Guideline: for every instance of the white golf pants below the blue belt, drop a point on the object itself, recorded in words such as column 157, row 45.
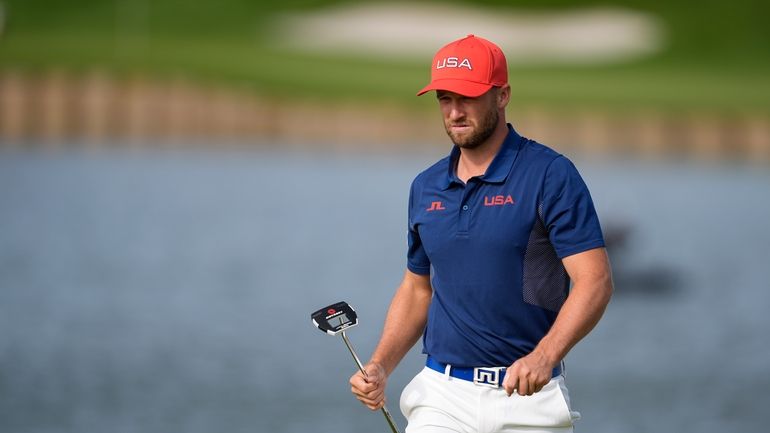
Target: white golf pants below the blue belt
column 438, row 403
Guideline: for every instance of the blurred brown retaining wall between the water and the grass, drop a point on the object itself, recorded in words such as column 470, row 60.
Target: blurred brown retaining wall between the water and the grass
column 56, row 109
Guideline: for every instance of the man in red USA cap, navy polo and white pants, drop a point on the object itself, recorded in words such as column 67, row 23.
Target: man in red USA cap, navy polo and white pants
column 496, row 232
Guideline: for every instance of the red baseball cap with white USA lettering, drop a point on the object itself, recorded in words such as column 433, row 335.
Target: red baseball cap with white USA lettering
column 469, row 66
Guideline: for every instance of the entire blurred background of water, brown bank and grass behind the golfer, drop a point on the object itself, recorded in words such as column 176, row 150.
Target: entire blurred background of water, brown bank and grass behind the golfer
column 183, row 183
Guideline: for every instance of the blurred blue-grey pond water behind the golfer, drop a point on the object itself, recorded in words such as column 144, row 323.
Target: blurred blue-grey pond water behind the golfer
column 162, row 291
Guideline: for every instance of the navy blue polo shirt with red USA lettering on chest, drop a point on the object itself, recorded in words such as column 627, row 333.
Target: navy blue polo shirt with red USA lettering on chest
column 494, row 247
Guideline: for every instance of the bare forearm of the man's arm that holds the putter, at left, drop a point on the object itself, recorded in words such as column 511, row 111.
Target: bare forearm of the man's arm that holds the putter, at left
column 404, row 322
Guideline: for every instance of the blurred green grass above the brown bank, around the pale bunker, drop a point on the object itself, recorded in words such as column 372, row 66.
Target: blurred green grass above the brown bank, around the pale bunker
column 717, row 58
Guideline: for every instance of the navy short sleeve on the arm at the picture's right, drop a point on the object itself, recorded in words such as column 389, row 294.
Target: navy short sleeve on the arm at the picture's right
column 567, row 210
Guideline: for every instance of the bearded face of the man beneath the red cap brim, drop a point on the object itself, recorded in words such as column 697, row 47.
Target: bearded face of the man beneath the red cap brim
column 469, row 122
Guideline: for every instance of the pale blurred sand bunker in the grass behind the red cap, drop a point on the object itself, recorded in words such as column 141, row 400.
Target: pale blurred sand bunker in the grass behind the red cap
column 417, row 30
